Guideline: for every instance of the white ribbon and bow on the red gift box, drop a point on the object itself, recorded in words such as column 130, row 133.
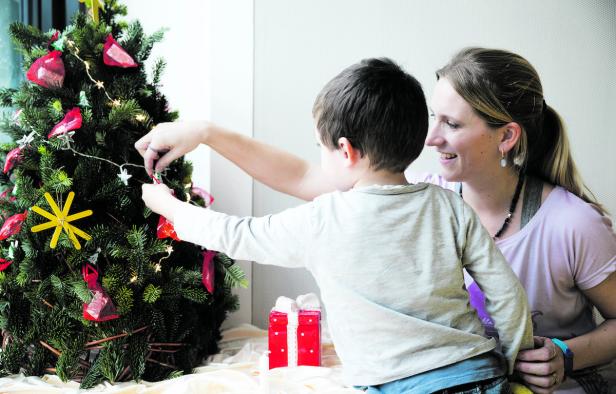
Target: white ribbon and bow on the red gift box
column 291, row 307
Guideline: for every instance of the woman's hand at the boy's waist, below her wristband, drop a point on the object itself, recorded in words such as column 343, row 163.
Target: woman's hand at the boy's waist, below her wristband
column 542, row 369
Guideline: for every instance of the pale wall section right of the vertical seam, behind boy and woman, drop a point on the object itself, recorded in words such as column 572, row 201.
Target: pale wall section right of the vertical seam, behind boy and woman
column 300, row 45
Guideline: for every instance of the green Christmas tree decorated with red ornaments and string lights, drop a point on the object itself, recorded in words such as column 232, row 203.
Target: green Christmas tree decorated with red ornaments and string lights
column 93, row 286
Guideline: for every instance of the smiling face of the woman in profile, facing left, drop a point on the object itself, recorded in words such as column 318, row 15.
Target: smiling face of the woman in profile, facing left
column 468, row 147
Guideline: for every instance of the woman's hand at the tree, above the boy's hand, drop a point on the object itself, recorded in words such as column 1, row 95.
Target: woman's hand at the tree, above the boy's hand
column 168, row 141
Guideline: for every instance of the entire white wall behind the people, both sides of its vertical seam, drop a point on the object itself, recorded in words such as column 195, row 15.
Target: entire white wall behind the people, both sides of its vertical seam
column 297, row 46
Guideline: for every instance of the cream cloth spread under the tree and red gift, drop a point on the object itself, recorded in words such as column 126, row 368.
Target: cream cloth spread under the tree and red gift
column 234, row 370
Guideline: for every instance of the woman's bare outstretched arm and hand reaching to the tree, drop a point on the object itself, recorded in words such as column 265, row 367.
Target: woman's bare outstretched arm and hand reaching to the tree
column 271, row 166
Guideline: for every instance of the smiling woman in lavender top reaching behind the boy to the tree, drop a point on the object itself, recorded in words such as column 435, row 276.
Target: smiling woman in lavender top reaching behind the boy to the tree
column 505, row 151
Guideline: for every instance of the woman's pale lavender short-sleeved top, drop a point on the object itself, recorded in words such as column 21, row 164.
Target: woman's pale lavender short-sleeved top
column 566, row 247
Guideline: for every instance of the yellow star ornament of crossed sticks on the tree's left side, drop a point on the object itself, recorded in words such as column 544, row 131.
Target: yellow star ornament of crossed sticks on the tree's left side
column 60, row 219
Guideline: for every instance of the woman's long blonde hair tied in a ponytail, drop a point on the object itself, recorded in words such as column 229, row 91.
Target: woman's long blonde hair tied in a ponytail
column 503, row 87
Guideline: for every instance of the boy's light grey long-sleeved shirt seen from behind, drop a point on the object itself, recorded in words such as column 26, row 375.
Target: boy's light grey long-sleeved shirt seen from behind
column 389, row 263
